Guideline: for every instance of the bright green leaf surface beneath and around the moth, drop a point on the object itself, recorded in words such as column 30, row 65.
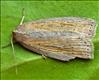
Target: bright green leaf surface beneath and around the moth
column 31, row 66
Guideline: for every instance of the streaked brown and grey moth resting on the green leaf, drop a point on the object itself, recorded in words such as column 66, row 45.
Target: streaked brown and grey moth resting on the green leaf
column 62, row 38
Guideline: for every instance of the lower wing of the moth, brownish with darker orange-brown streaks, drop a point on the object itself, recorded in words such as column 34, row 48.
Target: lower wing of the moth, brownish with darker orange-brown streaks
column 60, row 47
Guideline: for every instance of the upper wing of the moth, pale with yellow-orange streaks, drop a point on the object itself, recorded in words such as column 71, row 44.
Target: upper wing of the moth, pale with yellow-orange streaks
column 86, row 27
